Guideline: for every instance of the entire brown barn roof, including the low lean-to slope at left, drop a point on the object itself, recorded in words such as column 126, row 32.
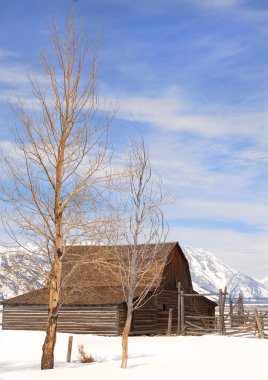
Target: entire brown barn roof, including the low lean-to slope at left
column 90, row 274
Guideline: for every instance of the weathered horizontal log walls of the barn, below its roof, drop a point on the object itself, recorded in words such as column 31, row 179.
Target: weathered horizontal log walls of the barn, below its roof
column 152, row 318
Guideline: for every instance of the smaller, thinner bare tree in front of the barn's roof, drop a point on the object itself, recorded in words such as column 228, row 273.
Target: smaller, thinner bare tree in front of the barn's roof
column 143, row 231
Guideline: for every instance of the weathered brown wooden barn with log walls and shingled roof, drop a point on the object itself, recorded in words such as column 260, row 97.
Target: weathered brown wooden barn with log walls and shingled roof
column 92, row 300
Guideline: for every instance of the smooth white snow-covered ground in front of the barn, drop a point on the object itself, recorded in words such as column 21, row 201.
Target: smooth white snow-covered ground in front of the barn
column 191, row 358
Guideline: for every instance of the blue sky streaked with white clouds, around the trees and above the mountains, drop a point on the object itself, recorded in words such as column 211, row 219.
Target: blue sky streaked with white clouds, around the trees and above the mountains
column 191, row 76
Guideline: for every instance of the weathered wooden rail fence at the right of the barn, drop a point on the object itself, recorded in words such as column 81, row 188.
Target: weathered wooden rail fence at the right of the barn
column 247, row 317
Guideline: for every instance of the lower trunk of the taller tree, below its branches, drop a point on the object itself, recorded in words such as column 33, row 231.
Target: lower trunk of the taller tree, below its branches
column 47, row 361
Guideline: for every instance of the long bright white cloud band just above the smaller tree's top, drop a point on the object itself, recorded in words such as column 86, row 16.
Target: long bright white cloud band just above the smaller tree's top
column 171, row 113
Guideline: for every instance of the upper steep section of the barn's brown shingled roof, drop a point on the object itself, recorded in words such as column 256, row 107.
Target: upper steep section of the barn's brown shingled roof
column 87, row 266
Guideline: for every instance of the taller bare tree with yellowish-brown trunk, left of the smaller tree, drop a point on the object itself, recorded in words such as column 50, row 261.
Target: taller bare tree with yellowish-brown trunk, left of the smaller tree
column 56, row 183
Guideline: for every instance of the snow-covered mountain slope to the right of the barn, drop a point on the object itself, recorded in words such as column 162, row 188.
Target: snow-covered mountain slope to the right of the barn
column 209, row 274
